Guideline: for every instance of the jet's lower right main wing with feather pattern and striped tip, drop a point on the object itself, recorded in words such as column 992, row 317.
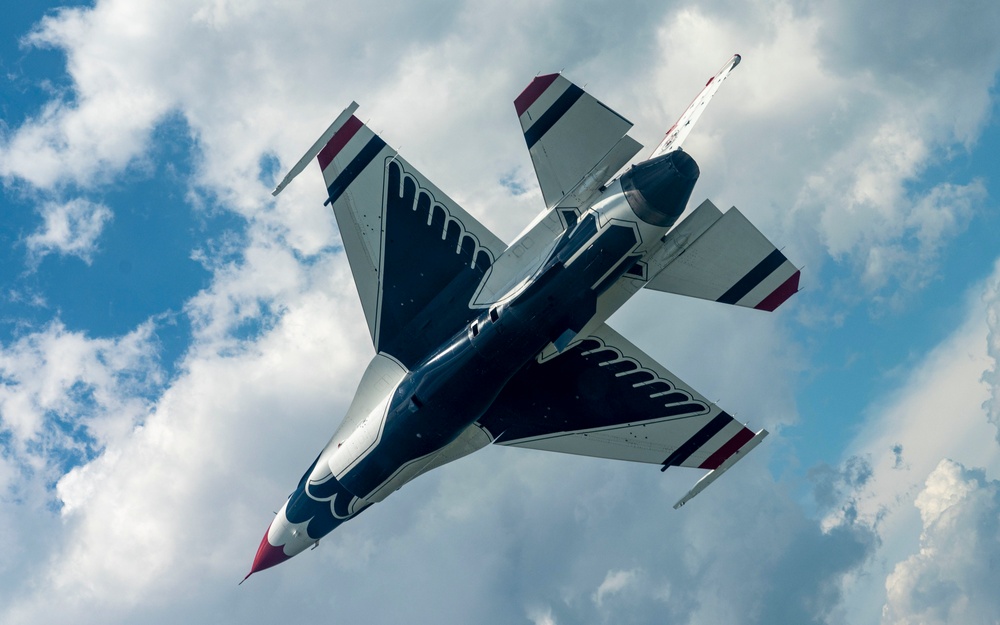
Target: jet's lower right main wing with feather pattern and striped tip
column 604, row 397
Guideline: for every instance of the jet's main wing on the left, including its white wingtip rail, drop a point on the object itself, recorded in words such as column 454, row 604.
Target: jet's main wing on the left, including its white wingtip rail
column 417, row 256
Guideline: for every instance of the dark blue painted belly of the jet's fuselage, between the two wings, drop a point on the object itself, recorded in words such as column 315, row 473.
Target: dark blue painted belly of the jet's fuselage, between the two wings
column 455, row 386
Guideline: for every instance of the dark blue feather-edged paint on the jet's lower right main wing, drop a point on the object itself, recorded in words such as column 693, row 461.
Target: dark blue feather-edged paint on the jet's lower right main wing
column 575, row 392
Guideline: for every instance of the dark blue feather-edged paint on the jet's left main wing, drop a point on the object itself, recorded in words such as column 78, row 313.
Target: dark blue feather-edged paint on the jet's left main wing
column 428, row 275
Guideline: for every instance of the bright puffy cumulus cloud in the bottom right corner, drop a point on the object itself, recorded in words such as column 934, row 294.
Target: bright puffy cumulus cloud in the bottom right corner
column 953, row 577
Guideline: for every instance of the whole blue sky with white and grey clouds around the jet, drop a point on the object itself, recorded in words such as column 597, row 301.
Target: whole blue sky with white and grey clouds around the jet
column 176, row 345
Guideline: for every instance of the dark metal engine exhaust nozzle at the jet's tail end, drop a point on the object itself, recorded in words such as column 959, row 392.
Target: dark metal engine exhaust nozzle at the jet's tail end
column 659, row 189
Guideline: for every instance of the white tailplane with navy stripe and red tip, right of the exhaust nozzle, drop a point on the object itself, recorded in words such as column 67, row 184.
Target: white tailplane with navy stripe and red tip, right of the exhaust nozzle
column 723, row 258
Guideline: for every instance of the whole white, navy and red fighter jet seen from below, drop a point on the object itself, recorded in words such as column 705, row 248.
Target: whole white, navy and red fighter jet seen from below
column 480, row 342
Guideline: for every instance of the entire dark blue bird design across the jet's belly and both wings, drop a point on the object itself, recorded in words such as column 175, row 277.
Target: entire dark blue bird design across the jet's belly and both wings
column 456, row 375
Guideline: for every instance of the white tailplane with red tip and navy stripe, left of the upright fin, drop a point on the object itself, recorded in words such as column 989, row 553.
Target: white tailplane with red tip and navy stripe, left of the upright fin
column 576, row 142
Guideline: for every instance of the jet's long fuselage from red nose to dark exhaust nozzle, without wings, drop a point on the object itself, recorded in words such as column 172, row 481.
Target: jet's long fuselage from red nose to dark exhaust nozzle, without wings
column 439, row 399
